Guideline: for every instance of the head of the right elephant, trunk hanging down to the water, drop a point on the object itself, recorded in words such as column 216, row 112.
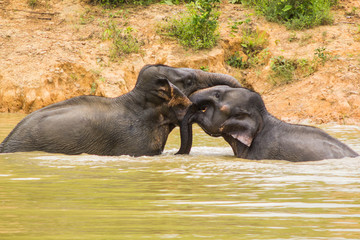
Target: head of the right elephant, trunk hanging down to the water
column 233, row 113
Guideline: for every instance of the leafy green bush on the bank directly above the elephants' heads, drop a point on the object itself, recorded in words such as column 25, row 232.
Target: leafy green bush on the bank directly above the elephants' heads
column 197, row 27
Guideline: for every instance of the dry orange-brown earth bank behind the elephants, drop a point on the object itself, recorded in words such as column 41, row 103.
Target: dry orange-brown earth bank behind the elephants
column 55, row 51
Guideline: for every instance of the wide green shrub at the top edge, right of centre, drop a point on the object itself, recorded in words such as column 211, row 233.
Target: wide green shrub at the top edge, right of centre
column 294, row 14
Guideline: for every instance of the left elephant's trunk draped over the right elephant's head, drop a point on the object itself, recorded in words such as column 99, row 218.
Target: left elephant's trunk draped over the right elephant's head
column 214, row 79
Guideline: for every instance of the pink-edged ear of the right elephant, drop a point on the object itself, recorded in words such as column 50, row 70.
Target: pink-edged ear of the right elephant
column 242, row 127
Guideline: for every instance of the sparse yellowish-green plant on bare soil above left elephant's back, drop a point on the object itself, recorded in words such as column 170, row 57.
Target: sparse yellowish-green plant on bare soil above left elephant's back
column 123, row 41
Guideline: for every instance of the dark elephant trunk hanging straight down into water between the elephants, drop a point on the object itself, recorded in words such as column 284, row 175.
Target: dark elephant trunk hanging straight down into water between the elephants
column 186, row 131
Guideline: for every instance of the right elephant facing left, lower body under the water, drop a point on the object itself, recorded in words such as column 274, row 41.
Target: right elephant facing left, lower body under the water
column 240, row 117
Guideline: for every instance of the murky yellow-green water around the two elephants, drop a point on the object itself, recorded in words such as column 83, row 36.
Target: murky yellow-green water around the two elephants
column 207, row 195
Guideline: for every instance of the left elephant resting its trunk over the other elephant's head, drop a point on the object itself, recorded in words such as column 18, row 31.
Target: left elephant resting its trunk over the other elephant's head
column 136, row 123
